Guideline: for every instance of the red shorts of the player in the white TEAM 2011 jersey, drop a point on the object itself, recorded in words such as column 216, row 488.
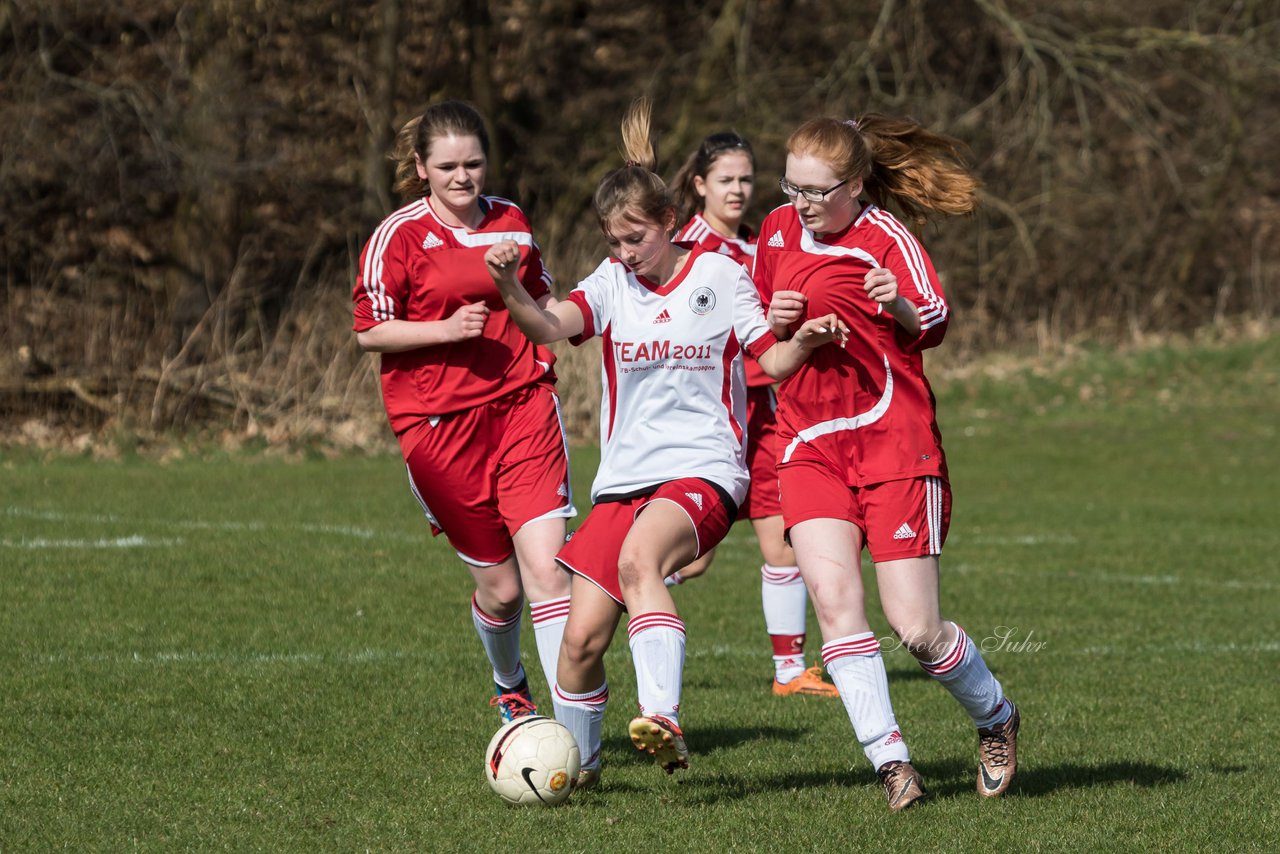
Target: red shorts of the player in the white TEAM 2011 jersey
column 593, row 550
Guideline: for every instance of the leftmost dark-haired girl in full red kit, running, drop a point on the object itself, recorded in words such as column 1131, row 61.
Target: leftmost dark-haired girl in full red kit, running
column 470, row 400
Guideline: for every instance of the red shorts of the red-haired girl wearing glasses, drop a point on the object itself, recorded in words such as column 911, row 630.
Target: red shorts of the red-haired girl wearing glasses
column 899, row 519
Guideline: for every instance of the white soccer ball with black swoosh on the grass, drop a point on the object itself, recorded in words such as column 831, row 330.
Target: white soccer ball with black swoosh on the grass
column 533, row 760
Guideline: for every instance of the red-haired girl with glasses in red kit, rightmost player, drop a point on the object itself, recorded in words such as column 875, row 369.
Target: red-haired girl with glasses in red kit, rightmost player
column 861, row 455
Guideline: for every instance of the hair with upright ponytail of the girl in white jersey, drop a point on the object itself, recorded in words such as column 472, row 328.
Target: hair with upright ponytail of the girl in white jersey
column 636, row 191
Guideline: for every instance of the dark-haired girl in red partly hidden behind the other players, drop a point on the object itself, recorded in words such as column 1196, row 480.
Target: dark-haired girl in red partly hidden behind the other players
column 712, row 193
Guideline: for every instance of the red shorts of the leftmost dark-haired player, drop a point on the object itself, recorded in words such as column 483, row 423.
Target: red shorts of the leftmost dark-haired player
column 483, row 474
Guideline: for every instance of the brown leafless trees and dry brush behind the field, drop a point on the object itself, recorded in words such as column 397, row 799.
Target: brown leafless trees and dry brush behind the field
column 186, row 188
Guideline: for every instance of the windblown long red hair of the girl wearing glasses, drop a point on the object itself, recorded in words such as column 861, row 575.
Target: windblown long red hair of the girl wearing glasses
column 899, row 161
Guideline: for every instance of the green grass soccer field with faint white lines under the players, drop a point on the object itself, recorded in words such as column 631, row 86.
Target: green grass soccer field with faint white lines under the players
column 245, row 654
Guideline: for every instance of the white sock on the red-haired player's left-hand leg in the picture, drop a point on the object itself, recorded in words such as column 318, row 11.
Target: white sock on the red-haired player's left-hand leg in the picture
column 858, row 670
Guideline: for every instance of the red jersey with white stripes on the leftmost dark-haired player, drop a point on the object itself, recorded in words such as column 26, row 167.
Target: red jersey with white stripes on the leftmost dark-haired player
column 417, row 268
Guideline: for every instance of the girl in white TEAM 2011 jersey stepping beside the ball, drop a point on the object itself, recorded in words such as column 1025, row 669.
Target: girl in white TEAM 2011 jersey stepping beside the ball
column 674, row 325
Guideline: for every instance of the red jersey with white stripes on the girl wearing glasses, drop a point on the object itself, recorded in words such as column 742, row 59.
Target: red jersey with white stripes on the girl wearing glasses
column 866, row 410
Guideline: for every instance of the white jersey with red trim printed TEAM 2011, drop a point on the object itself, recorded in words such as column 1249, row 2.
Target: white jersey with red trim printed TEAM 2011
column 675, row 391
